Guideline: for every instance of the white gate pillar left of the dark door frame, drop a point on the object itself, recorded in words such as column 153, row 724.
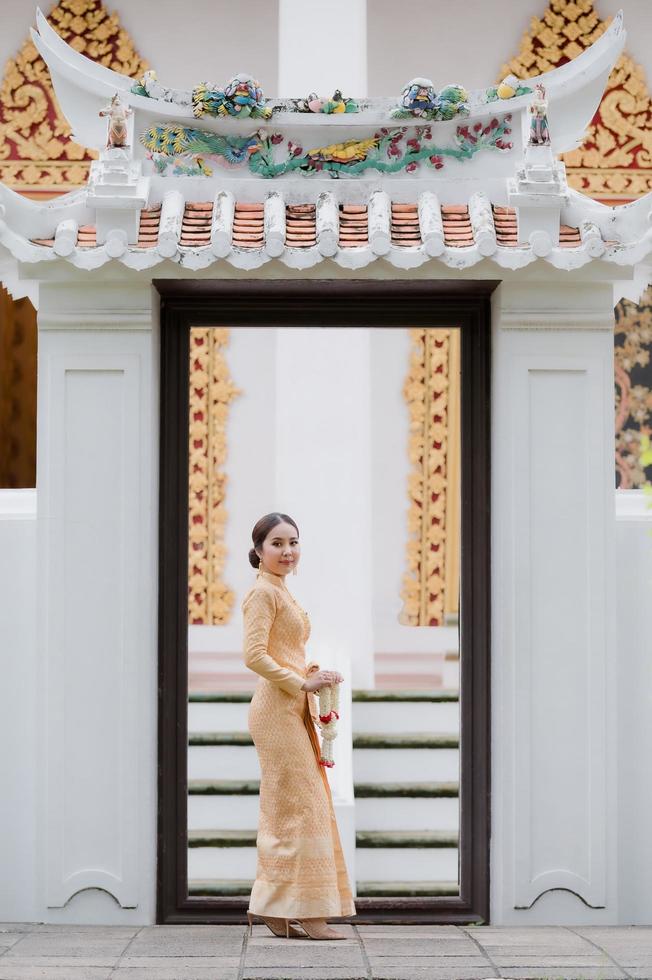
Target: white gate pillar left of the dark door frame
column 97, row 568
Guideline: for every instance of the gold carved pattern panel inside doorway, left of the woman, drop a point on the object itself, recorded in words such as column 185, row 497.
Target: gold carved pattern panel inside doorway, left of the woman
column 212, row 390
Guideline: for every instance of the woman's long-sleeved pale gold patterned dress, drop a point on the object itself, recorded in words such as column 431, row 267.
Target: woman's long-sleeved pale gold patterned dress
column 300, row 869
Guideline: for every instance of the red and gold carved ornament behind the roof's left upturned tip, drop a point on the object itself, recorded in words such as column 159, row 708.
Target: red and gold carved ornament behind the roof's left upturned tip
column 36, row 152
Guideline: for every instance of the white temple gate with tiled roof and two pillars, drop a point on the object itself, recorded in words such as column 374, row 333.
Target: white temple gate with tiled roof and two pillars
column 567, row 750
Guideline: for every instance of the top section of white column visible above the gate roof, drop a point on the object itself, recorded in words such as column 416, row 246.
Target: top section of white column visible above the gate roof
column 322, row 45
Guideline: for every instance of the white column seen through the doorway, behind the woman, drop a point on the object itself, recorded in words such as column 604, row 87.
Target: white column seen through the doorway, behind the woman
column 323, row 481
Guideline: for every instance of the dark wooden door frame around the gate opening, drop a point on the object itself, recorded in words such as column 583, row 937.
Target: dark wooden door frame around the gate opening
column 321, row 303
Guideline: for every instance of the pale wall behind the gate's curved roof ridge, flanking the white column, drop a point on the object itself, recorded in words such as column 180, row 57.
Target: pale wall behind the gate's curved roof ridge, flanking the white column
column 209, row 40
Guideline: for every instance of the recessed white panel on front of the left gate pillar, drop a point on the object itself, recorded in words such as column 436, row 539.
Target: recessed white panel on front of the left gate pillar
column 90, row 587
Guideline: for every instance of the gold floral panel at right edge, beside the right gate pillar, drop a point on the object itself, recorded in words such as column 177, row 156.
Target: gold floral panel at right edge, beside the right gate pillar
column 633, row 389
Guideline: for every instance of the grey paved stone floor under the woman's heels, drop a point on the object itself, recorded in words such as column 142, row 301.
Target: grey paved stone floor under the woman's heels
column 205, row 952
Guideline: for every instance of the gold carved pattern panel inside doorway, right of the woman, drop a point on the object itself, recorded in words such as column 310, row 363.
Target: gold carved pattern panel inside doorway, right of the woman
column 426, row 391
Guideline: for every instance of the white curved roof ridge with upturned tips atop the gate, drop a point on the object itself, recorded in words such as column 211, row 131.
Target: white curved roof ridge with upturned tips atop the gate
column 83, row 87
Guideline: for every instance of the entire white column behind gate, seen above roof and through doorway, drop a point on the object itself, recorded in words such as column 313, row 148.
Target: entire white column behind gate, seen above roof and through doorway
column 323, row 416
